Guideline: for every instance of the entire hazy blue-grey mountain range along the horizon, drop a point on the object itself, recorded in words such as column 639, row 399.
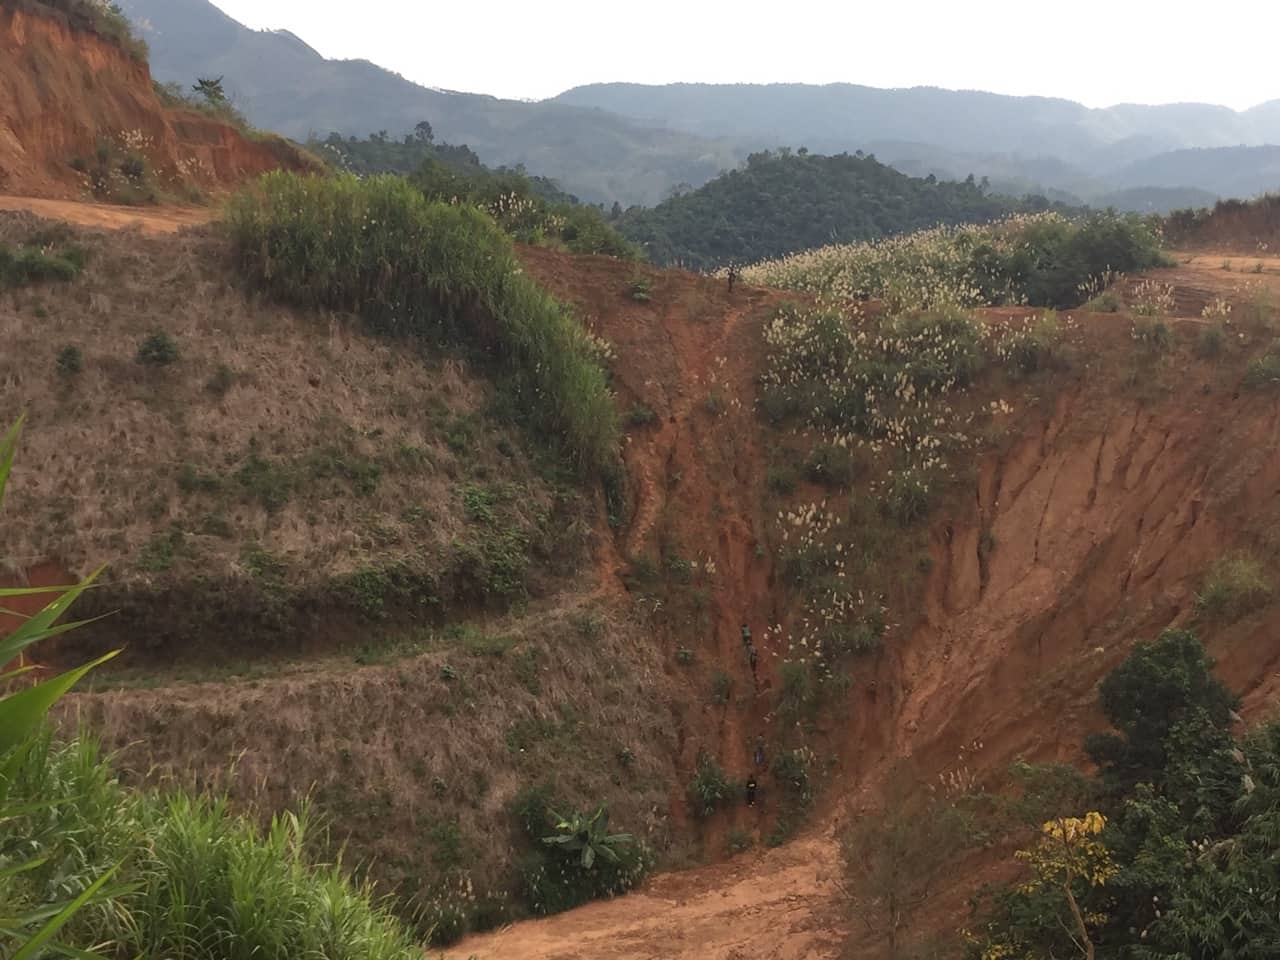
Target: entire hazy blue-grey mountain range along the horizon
column 633, row 144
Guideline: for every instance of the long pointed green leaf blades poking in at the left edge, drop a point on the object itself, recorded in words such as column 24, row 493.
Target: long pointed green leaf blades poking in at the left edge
column 22, row 712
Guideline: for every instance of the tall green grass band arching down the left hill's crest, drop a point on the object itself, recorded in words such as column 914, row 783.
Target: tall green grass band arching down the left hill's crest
column 410, row 267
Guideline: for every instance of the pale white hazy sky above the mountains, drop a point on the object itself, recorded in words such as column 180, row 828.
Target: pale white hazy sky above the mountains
column 1099, row 53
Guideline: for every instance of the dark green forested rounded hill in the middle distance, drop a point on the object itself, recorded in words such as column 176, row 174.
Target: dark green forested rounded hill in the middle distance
column 781, row 203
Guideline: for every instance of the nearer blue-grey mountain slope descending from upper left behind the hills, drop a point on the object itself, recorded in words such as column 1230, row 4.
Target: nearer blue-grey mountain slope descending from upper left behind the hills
column 284, row 85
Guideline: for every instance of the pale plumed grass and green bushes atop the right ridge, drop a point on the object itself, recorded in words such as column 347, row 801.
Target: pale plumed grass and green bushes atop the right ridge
column 1043, row 260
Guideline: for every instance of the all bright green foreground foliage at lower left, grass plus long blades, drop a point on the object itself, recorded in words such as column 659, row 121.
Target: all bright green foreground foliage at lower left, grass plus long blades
column 89, row 866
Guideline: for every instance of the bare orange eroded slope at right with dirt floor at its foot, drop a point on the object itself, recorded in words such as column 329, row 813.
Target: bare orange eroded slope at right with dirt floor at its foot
column 1105, row 510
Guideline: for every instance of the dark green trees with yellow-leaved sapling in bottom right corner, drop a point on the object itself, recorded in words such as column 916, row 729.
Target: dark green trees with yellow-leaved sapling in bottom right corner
column 1171, row 849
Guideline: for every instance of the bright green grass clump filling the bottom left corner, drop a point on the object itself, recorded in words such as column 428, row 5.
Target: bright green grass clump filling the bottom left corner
column 195, row 880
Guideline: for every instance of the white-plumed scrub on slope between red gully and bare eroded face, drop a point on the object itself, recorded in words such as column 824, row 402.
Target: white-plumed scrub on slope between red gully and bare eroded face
column 876, row 418
